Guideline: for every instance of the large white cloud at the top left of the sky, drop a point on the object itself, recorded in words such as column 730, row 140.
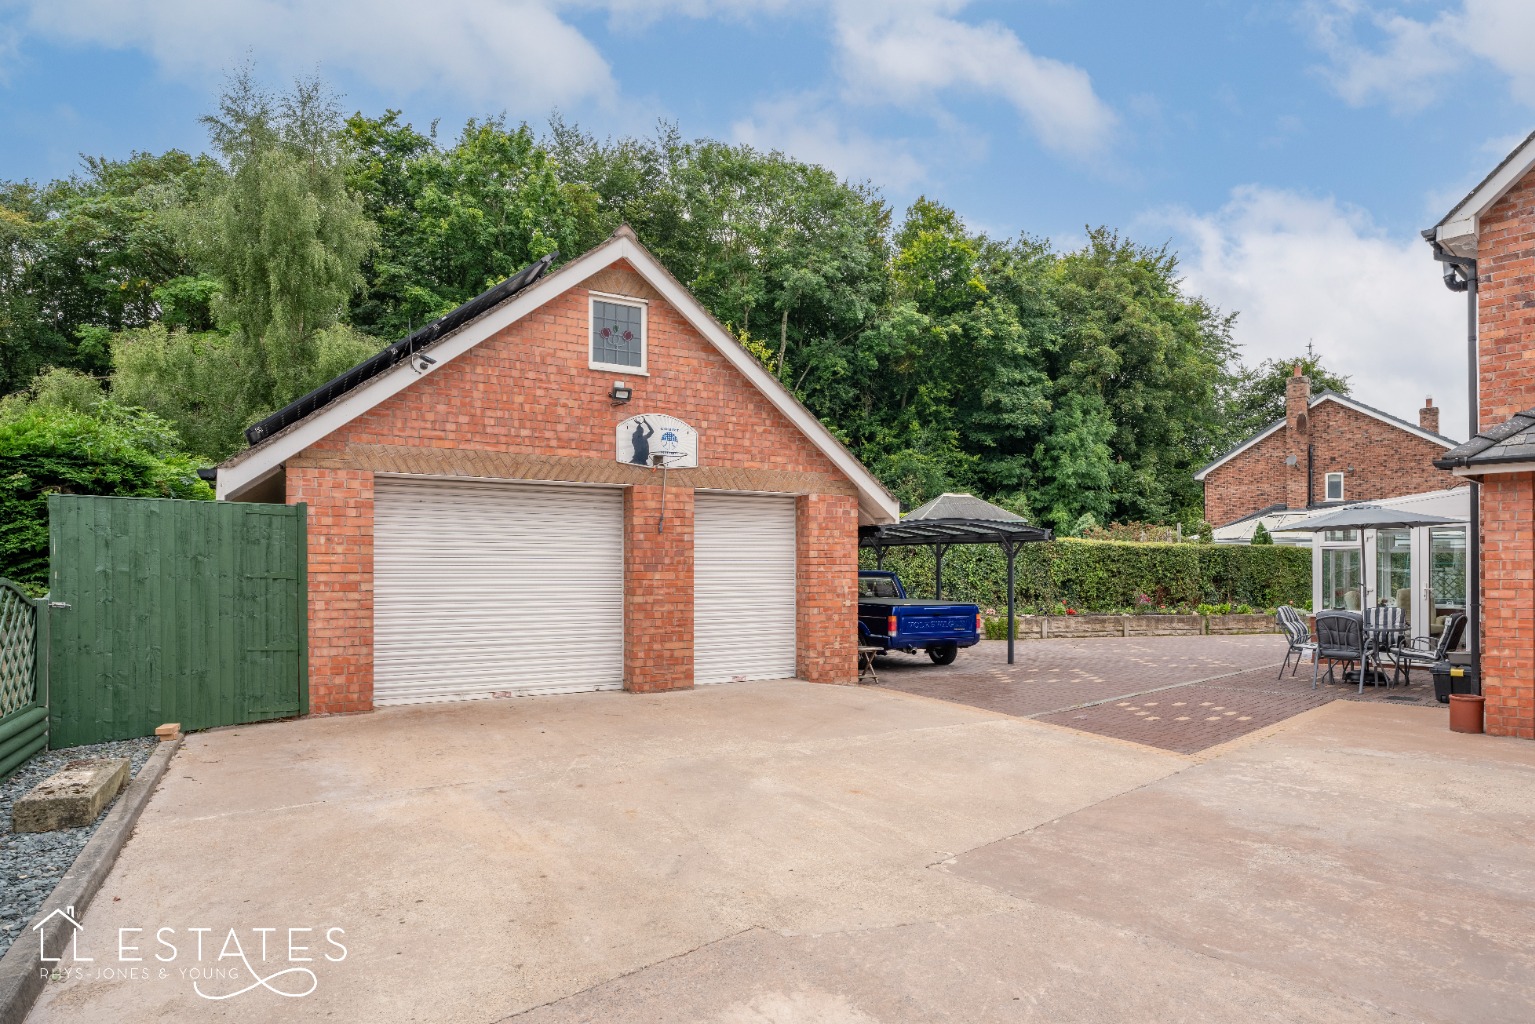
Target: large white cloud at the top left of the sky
column 506, row 53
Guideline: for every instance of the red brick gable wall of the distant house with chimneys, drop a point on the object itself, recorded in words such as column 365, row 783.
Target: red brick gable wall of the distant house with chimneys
column 1376, row 460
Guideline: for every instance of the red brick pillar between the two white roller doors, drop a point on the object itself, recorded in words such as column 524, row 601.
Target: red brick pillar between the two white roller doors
column 658, row 589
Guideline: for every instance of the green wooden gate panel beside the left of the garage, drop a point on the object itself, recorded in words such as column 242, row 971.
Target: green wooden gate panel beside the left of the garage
column 174, row 612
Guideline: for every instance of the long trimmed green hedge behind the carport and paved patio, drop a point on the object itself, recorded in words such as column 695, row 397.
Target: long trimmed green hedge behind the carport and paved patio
column 1112, row 576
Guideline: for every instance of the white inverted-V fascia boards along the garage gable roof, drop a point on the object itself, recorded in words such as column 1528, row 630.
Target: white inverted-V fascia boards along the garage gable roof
column 248, row 469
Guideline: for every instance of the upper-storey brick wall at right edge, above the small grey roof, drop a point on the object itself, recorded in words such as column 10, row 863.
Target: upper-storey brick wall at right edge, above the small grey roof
column 1507, row 305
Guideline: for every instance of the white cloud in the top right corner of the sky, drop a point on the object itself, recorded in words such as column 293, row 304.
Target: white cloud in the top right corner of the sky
column 1410, row 58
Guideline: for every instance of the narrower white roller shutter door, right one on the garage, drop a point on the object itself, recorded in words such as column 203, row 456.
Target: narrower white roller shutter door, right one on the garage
column 744, row 589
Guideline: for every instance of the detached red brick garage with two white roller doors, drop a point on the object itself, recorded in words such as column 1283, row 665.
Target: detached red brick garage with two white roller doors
column 576, row 481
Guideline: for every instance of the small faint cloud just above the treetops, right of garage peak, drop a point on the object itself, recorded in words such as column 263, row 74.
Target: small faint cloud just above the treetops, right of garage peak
column 814, row 134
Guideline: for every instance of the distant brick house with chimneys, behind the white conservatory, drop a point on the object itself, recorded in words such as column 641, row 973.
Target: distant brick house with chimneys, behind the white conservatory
column 1329, row 449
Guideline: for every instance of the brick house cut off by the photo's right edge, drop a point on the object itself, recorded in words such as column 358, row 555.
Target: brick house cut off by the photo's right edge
column 1488, row 243
